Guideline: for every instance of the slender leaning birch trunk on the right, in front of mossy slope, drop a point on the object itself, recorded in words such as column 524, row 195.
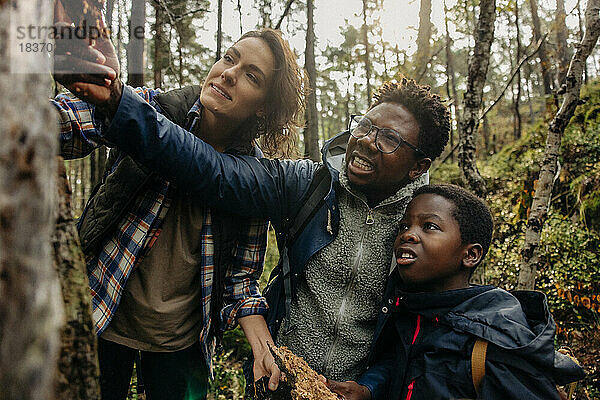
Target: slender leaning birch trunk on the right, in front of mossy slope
column 543, row 187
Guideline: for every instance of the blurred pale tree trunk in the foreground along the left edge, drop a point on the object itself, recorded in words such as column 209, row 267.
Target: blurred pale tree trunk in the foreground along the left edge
column 30, row 303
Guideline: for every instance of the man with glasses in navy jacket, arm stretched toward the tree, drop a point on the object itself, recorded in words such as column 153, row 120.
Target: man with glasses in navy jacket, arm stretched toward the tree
column 325, row 294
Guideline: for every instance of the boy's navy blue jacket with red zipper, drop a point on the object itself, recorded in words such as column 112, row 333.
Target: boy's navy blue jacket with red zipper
column 424, row 341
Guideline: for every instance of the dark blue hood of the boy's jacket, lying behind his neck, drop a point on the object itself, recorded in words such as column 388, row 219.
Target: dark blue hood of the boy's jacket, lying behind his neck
column 518, row 321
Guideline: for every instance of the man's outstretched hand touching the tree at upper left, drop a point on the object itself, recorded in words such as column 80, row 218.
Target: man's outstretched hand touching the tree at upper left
column 88, row 67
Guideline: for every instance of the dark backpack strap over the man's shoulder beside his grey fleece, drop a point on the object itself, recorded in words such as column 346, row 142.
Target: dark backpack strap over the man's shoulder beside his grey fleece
column 313, row 199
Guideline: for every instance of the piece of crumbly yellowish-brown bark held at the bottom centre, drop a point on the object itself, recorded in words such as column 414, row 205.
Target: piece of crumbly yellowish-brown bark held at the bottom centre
column 302, row 382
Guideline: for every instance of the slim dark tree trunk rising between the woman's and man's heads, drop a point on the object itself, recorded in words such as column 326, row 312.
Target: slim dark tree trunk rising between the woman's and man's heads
column 311, row 132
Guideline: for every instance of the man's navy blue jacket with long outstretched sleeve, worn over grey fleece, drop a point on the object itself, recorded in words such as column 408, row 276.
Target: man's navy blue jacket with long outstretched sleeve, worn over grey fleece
column 271, row 189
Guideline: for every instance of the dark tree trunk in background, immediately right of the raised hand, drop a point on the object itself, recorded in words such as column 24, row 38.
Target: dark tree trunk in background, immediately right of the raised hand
column 135, row 48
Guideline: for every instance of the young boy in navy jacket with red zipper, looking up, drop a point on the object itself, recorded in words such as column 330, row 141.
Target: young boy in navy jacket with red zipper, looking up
column 432, row 317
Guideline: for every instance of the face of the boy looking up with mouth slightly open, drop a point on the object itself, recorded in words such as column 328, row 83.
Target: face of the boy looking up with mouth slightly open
column 429, row 253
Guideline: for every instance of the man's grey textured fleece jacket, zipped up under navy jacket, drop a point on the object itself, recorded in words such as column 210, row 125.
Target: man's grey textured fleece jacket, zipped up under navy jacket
column 339, row 296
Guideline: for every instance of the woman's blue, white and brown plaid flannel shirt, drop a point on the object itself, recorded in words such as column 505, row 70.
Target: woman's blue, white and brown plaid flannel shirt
column 109, row 270
